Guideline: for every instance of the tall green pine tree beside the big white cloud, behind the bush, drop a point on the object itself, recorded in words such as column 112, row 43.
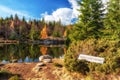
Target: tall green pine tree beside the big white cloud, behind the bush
column 90, row 20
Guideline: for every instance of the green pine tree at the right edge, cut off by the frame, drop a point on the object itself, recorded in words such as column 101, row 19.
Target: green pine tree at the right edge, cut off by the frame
column 112, row 20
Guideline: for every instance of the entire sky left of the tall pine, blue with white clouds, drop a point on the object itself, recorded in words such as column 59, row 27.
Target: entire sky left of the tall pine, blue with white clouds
column 50, row 10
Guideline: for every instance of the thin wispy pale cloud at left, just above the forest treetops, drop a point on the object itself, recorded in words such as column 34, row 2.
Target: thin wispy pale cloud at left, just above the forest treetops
column 5, row 11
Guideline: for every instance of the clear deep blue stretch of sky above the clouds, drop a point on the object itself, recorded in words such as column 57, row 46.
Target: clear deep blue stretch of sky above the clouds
column 35, row 7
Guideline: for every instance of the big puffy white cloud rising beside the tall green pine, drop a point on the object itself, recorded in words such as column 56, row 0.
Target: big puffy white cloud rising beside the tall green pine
column 66, row 15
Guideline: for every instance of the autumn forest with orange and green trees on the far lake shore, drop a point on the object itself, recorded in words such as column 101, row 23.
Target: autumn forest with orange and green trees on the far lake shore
column 13, row 28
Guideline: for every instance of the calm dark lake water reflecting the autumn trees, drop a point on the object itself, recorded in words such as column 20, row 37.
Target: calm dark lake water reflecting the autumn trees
column 28, row 52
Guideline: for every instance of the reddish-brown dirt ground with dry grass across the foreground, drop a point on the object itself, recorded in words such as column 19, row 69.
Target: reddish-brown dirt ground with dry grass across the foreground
column 26, row 71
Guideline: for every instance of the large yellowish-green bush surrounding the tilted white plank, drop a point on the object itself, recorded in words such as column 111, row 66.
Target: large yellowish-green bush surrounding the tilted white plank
column 108, row 49
